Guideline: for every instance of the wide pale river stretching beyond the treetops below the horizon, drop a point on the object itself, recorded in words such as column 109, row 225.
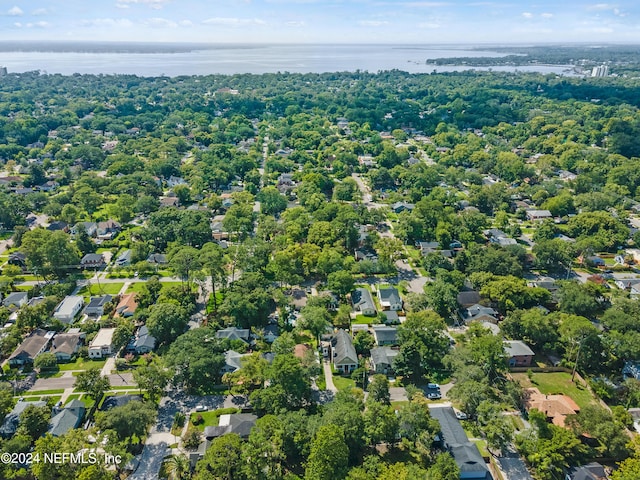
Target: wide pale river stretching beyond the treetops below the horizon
column 232, row 59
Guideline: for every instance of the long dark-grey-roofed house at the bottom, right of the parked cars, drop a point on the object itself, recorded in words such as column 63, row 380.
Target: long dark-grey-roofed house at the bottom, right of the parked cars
column 464, row 452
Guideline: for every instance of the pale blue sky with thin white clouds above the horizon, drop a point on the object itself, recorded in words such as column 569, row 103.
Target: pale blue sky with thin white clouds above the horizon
column 331, row 21
